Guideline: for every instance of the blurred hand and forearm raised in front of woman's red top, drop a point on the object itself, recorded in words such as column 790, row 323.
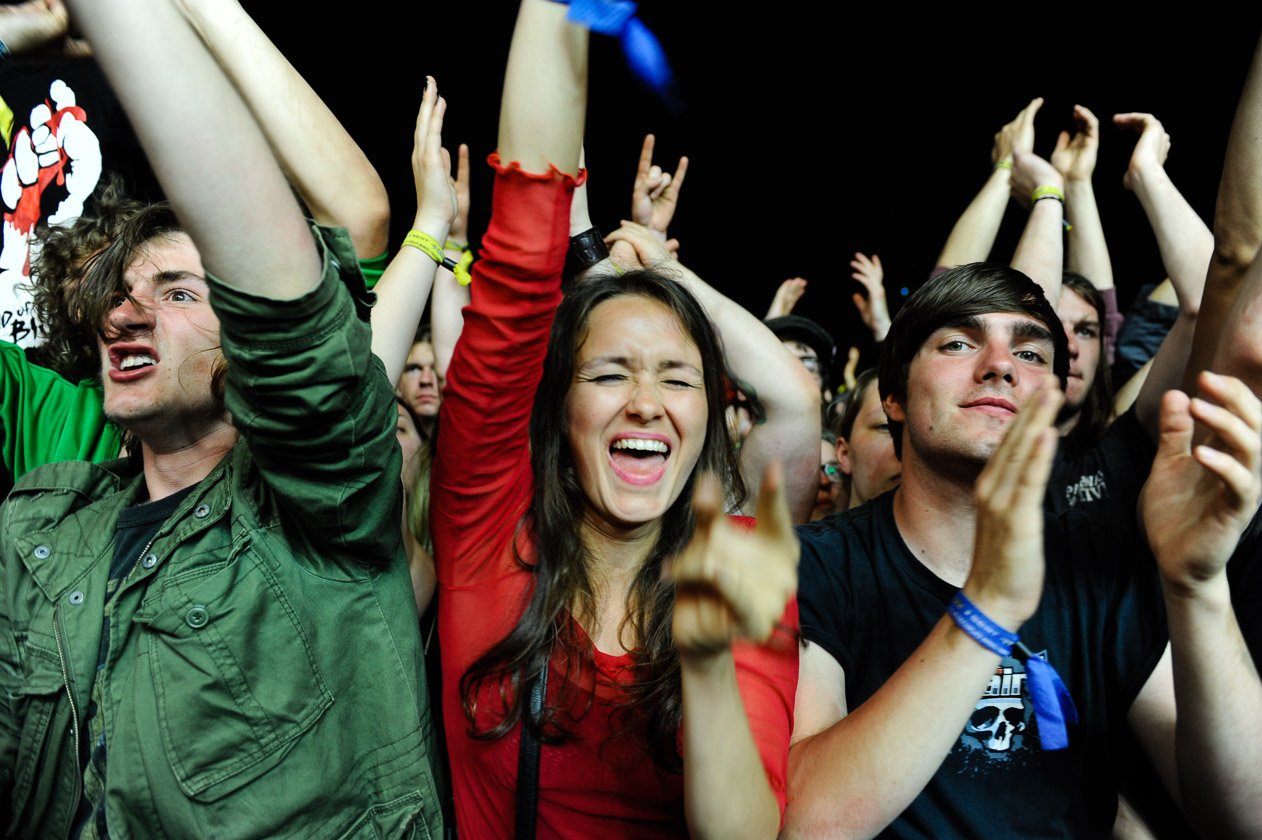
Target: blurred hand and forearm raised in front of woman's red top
column 730, row 585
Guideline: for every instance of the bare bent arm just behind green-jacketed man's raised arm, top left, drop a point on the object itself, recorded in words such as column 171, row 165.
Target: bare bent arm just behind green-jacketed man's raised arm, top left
column 324, row 163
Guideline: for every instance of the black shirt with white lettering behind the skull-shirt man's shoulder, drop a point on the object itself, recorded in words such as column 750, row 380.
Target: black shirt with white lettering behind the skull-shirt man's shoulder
column 1109, row 474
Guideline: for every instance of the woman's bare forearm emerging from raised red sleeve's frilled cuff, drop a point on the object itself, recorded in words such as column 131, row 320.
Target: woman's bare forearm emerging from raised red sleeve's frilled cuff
column 545, row 90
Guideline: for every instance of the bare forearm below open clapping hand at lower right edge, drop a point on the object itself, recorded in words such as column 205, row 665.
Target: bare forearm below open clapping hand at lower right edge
column 1218, row 737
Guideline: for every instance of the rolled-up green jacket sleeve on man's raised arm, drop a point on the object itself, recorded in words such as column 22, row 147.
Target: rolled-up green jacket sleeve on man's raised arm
column 316, row 408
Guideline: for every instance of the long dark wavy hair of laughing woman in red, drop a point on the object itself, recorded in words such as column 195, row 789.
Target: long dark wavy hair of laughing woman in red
column 563, row 585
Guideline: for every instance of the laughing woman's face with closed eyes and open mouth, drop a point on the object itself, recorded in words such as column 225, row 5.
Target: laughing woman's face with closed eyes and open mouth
column 637, row 412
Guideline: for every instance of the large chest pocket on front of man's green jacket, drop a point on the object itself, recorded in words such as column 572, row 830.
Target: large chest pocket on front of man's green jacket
column 234, row 677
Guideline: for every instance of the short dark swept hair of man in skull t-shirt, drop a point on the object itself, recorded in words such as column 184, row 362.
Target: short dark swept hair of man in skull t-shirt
column 951, row 298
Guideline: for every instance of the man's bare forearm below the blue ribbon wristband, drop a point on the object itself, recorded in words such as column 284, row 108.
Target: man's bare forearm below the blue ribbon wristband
column 858, row 776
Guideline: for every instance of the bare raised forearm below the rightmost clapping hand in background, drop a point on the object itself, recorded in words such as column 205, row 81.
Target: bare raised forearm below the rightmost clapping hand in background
column 1186, row 242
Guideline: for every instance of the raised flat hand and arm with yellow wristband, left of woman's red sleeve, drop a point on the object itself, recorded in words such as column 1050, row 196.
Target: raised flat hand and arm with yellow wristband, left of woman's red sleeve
column 407, row 282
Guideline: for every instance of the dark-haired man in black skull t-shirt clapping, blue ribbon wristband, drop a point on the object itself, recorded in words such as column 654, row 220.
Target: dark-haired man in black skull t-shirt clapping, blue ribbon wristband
column 890, row 732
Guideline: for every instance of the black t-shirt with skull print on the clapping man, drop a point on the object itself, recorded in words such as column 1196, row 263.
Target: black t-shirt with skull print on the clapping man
column 870, row 604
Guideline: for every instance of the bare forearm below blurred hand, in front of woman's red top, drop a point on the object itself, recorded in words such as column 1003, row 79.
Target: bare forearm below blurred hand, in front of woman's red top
column 726, row 789
